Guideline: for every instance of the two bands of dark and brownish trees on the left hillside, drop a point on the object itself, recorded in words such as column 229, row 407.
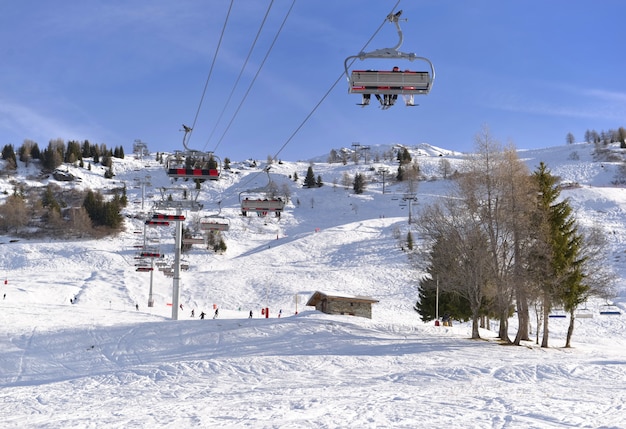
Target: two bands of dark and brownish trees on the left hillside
column 53, row 210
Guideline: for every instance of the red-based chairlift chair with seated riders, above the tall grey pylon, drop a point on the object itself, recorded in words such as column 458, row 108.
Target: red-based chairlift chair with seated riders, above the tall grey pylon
column 193, row 164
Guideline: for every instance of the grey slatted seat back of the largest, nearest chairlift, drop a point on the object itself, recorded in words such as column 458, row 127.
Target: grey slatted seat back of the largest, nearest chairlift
column 389, row 82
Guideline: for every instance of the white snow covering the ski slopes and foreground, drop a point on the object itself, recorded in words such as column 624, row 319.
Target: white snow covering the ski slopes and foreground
column 101, row 363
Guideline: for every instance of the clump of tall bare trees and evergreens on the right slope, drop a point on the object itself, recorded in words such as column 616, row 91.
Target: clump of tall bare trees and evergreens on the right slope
column 505, row 241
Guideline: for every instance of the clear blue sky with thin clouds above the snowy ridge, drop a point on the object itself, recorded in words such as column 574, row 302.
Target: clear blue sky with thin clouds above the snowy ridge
column 113, row 71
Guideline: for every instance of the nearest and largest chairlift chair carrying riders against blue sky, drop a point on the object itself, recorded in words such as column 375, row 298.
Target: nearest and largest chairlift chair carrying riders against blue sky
column 387, row 85
